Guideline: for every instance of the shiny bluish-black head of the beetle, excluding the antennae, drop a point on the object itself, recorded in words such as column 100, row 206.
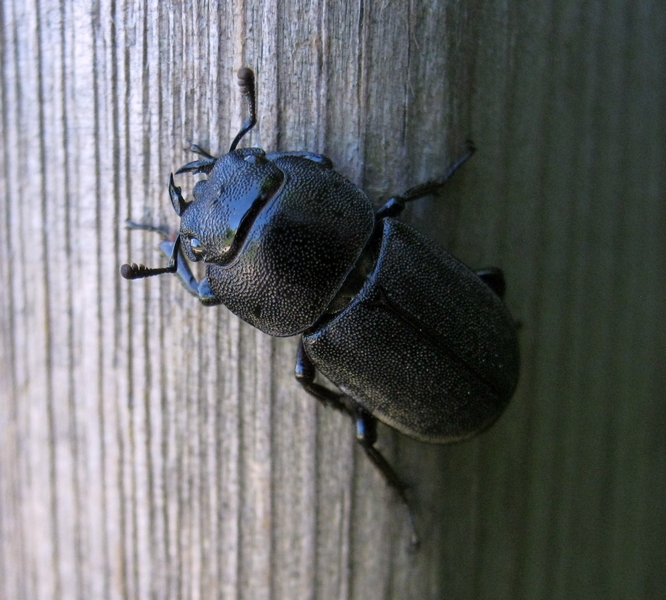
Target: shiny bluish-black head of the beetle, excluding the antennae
column 214, row 225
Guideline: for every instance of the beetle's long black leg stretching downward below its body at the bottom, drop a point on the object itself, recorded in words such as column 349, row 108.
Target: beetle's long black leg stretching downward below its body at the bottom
column 366, row 426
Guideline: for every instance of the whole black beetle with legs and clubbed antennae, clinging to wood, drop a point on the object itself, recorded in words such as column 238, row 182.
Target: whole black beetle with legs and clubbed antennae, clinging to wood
column 410, row 335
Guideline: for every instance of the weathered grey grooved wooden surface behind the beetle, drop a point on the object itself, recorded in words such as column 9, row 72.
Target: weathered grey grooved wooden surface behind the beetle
column 153, row 448
